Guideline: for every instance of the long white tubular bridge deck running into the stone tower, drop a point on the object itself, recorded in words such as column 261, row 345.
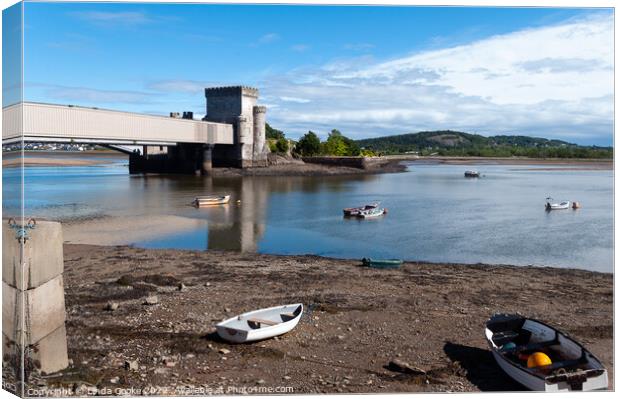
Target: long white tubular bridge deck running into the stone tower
column 66, row 123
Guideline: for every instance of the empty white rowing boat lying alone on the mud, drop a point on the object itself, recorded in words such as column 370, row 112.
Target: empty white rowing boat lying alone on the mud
column 260, row 324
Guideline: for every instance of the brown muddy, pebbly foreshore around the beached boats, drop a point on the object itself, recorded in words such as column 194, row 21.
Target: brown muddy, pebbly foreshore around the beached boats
column 356, row 321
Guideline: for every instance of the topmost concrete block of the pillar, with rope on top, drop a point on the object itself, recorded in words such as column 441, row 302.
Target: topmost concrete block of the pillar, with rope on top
column 43, row 255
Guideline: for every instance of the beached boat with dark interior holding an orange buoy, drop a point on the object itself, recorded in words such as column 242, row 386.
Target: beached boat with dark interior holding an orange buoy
column 518, row 342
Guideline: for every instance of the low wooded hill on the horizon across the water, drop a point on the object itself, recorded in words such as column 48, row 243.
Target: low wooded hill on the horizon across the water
column 448, row 142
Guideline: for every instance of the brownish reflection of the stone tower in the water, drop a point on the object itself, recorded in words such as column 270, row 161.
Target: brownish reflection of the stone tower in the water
column 242, row 227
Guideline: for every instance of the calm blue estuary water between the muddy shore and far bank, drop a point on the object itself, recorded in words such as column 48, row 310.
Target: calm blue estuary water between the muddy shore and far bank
column 434, row 213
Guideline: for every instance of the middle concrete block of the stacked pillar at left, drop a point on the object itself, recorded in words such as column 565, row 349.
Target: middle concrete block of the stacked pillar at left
column 44, row 310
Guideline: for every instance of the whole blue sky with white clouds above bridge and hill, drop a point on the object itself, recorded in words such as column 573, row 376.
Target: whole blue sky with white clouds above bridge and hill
column 367, row 71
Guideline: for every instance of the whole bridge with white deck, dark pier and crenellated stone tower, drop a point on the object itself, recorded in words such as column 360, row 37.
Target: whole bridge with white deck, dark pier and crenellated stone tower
column 231, row 134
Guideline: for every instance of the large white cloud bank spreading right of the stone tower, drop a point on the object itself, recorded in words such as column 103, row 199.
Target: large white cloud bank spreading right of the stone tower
column 554, row 81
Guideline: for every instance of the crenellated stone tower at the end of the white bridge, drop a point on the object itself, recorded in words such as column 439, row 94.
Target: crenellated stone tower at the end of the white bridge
column 237, row 105
